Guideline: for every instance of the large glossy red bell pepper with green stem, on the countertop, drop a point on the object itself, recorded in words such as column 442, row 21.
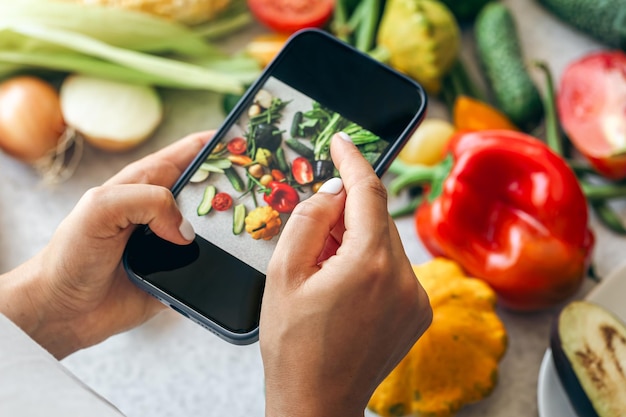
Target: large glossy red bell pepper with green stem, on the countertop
column 511, row 212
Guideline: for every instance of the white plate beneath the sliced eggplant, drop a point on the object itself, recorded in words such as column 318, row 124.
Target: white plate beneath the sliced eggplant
column 551, row 397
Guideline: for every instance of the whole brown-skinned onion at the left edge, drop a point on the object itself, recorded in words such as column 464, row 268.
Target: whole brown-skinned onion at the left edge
column 31, row 120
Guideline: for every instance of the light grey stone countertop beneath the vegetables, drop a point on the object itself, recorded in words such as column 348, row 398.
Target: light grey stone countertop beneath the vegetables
column 173, row 367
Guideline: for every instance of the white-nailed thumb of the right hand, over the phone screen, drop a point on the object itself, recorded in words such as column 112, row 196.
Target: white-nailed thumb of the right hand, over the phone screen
column 308, row 232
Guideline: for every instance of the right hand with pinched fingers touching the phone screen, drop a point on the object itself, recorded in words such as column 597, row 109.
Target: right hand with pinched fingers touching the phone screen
column 342, row 305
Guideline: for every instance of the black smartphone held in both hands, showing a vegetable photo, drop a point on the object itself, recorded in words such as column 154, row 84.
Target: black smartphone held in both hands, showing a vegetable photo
column 271, row 152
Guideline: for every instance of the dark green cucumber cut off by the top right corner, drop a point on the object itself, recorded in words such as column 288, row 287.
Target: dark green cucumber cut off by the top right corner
column 603, row 20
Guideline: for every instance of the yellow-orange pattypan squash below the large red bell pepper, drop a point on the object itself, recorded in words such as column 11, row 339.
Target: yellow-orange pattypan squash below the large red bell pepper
column 456, row 361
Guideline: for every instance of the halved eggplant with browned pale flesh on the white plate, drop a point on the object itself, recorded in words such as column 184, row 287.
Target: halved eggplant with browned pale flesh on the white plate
column 589, row 349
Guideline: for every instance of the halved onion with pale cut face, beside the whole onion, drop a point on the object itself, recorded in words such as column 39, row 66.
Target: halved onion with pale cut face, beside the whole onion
column 110, row 115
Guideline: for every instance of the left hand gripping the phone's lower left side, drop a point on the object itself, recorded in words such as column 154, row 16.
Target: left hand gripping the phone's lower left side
column 75, row 292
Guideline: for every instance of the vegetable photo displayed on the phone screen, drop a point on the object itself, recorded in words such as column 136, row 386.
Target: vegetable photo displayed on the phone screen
column 276, row 155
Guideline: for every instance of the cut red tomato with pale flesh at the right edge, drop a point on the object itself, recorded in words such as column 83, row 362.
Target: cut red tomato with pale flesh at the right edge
column 591, row 102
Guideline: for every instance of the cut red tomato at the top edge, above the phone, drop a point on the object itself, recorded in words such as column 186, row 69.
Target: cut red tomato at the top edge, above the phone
column 291, row 15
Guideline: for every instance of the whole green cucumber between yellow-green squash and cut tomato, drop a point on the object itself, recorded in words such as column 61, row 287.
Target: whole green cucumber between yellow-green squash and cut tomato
column 501, row 56
